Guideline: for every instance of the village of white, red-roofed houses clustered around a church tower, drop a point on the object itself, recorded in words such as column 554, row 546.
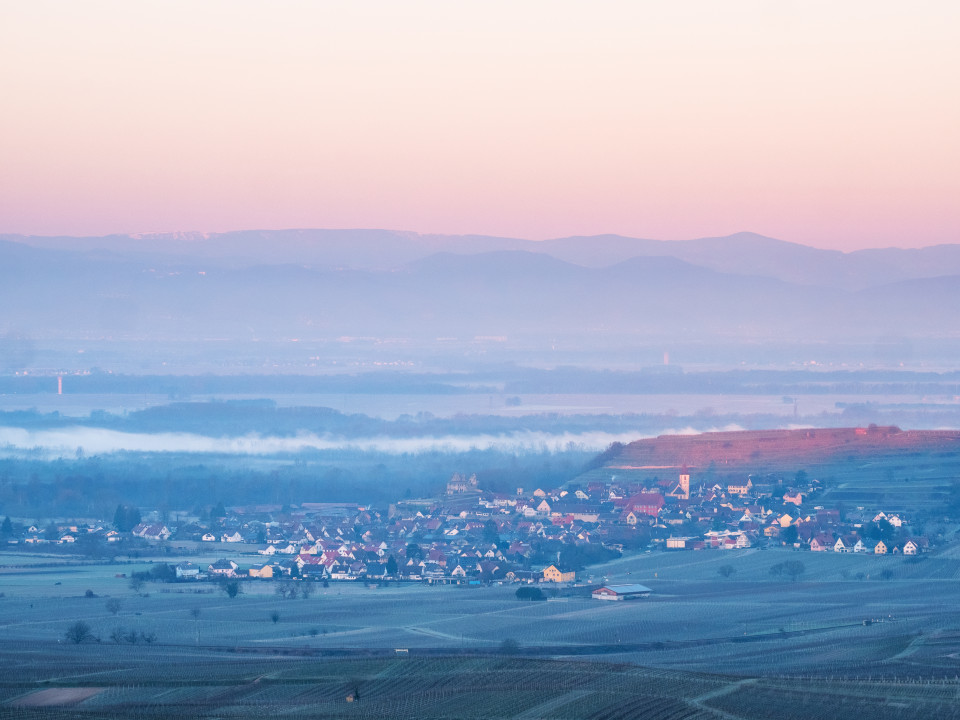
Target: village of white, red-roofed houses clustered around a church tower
column 469, row 535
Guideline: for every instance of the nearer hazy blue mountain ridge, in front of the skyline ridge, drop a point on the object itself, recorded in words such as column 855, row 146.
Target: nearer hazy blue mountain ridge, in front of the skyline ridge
column 506, row 292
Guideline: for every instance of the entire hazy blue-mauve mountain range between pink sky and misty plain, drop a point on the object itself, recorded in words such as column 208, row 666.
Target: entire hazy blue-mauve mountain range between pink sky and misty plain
column 323, row 283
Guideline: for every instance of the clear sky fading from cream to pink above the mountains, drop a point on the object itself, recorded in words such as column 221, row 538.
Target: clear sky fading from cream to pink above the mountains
column 828, row 123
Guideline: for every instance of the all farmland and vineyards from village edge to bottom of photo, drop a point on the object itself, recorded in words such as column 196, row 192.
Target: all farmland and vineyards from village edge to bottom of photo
column 838, row 638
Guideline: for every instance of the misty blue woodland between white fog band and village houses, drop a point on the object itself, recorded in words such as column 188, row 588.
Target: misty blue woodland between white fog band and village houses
column 111, row 486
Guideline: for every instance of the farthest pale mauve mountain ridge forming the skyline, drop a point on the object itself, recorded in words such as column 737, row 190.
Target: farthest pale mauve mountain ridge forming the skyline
column 741, row 253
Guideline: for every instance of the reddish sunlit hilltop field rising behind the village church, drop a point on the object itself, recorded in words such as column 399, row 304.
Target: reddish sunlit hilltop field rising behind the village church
column 771, row 448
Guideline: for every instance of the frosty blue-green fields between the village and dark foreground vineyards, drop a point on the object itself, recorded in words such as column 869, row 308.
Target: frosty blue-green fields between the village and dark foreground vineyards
column 839, row 604
